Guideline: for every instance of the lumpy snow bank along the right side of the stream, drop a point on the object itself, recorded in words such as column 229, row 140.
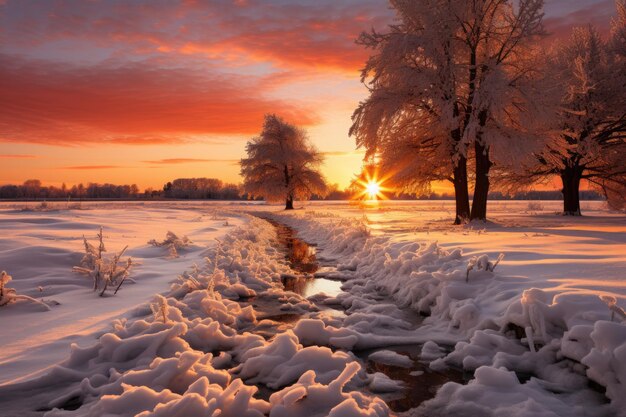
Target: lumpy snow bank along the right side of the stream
column 497, row 323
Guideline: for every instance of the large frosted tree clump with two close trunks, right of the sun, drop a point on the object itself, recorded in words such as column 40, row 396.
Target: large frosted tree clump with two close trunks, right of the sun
column 452, row 77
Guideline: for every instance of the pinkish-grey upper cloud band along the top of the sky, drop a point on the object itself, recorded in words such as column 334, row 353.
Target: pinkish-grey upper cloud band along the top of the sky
column 299, row 33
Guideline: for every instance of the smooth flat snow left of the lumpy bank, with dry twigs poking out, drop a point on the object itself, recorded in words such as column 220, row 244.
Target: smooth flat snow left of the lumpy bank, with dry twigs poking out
column 39, row 249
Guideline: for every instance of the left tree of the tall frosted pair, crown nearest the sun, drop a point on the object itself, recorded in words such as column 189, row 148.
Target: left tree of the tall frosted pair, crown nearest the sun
column 410, row 121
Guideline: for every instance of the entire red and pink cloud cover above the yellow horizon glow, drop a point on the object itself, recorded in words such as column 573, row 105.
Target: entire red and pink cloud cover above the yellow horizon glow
column 182, row 71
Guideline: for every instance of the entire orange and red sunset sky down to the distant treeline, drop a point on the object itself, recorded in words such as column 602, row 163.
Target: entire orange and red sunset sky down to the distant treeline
column 147, row 91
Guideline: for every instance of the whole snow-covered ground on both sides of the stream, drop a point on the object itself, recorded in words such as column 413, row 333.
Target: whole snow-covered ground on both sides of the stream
column 541, row 332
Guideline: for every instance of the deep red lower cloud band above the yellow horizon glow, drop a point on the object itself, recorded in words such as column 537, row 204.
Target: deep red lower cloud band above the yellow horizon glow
column 137, row 103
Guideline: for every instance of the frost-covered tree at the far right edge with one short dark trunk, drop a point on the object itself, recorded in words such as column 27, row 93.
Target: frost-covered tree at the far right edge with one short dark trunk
column 589, row 140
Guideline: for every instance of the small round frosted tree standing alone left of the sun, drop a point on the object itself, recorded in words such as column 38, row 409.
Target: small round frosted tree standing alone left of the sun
column 282, row 164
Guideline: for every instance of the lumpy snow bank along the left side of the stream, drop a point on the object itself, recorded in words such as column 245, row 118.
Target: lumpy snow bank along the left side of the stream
column 190, row 352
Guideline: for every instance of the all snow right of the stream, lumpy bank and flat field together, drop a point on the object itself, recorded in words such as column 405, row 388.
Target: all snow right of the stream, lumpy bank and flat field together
column 557, row 274
